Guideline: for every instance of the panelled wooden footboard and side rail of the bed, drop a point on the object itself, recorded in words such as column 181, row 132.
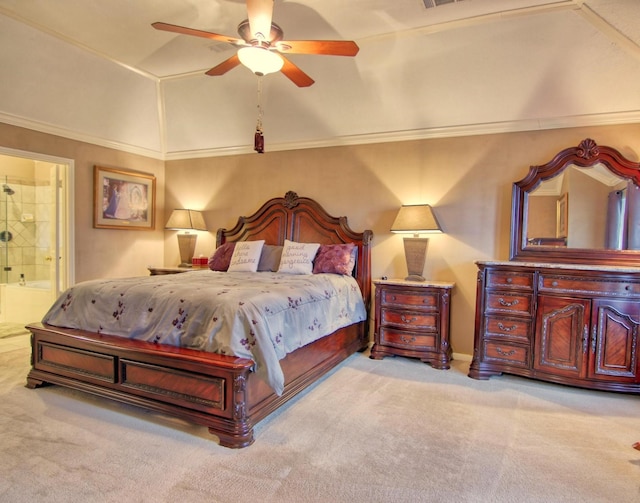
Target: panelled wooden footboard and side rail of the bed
column 216, row 391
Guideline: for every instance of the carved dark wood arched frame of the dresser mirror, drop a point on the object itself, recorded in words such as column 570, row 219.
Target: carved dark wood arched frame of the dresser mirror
column 585, row 155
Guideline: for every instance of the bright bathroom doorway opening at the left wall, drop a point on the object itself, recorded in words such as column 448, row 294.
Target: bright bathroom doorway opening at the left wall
column 36, row 235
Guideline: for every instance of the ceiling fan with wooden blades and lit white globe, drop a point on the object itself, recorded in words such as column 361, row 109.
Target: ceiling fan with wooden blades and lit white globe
column 262, row 48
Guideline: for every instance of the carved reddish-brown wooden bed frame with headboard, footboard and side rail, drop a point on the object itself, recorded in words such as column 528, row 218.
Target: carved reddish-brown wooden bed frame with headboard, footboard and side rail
column 219, row 392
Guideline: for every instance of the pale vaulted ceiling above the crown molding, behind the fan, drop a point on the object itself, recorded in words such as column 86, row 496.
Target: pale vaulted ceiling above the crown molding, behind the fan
column 96, row 70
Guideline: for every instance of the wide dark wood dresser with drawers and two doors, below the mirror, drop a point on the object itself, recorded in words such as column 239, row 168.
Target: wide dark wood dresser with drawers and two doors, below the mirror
column 569, row 324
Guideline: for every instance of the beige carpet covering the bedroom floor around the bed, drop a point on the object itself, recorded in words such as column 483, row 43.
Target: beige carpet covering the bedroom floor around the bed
column 394, row 430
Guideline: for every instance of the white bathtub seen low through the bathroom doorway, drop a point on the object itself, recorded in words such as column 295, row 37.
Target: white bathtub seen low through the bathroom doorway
column 25, row 303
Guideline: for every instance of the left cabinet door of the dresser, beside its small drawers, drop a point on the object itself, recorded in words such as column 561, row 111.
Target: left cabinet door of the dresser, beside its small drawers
column 562, row 335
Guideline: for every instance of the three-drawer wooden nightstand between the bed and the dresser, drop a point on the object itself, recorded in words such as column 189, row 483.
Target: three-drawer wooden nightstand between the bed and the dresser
column 412, row 319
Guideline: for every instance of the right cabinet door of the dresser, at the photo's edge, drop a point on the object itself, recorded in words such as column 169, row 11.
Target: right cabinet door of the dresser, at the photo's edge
column 614, row 341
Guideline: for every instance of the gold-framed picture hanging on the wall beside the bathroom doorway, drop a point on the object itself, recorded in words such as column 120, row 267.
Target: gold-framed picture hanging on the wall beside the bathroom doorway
column 123, row 199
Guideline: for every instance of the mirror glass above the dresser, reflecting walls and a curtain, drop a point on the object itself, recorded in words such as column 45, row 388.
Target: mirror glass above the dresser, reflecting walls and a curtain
column 587, row 207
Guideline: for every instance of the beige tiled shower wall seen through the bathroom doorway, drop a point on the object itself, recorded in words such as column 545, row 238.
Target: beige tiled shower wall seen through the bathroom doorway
column 26, row 215
